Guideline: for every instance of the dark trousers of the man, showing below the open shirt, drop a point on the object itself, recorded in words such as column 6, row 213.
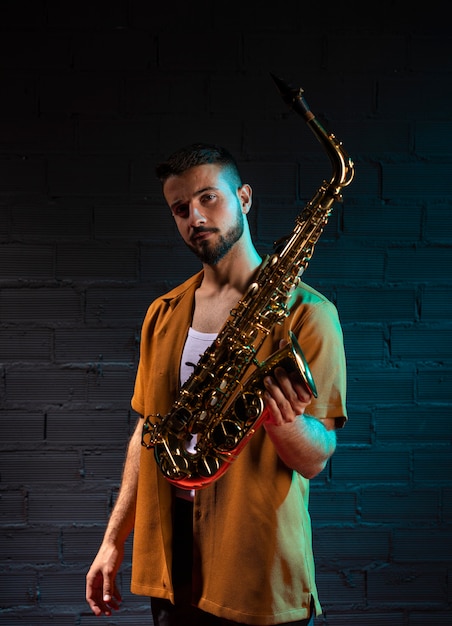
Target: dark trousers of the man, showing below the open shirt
column 183, row 613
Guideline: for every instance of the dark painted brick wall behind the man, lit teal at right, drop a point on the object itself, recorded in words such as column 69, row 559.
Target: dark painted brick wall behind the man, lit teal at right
column 93, row 94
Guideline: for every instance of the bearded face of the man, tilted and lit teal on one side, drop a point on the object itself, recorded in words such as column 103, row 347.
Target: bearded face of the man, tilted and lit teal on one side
column 208, row 210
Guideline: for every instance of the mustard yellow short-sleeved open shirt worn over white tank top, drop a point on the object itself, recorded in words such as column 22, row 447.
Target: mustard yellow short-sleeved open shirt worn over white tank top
column 254, row 561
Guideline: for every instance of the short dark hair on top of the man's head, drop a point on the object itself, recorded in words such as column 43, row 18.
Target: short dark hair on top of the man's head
column 197, row 154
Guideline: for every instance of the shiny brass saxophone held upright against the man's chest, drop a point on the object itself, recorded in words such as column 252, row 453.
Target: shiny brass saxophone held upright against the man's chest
column 221, row 403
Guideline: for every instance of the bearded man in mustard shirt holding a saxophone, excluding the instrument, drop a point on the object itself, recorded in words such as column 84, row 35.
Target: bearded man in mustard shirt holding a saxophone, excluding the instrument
column 239, row 550
